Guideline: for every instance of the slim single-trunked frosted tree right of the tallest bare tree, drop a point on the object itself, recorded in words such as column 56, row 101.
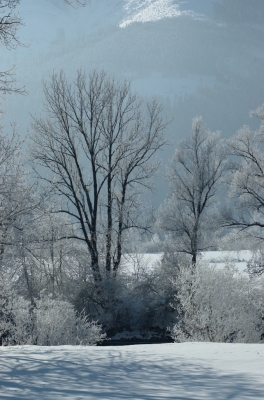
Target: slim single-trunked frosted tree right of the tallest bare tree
column 195, row 177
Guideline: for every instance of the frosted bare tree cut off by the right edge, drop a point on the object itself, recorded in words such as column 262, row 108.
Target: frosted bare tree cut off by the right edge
column 247, row 181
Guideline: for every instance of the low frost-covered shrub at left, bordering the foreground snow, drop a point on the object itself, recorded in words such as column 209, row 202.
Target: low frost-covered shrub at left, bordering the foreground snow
column 48, row 322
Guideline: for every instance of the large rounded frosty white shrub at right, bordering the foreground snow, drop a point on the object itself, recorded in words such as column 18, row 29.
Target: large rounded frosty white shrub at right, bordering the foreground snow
column 217, row 304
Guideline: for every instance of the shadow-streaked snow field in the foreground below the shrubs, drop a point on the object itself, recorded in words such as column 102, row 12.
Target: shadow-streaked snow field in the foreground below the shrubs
column 182, row 371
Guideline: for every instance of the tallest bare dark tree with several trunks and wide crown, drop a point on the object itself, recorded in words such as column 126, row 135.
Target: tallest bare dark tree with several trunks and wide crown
column 97, row 146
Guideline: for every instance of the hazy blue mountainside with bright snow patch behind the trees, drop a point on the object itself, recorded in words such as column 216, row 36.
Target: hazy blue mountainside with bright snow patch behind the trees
column 197, row 58
